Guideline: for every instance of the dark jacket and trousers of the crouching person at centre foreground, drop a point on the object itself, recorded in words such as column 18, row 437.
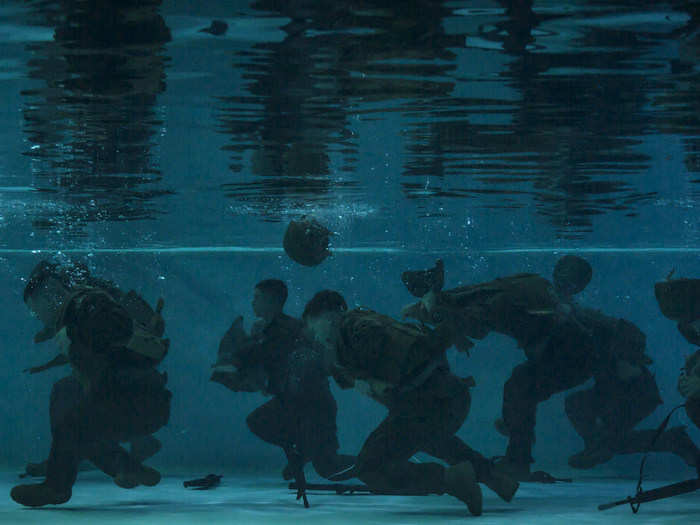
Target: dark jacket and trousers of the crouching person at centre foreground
column 404, row 367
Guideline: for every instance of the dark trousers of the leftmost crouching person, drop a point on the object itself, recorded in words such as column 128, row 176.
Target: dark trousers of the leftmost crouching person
column 91, row 426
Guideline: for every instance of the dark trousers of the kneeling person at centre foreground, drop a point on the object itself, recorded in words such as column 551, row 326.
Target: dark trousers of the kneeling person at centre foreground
column 423, row 420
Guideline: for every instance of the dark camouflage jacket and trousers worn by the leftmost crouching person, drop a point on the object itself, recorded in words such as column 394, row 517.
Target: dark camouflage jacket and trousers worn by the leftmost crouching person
column 114, row 395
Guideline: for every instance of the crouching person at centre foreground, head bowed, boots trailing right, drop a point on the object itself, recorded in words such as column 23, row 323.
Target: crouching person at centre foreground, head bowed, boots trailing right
column 404, row 367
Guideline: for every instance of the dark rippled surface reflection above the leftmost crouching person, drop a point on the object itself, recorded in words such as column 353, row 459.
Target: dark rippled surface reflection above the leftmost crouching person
column 91, row 122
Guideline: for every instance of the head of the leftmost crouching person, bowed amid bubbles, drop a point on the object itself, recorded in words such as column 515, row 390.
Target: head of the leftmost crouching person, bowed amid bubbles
column 48, row 287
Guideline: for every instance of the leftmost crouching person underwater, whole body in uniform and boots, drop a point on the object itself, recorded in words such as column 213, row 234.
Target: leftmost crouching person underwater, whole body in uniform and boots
column 114, row 394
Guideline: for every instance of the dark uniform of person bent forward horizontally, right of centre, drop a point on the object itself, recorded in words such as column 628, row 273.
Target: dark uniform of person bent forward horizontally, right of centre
column 525, row 307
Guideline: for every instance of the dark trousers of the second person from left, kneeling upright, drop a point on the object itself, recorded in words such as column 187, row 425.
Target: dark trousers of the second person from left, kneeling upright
column 310, row 427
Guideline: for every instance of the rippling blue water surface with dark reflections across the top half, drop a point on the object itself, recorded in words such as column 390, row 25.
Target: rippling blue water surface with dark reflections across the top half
column 396, row 122
